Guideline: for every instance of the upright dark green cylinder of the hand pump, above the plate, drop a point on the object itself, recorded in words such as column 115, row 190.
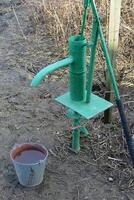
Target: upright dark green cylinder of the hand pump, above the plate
column 77, row 84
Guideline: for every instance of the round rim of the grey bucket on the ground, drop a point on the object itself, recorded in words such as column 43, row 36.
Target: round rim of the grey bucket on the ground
column 26, row 164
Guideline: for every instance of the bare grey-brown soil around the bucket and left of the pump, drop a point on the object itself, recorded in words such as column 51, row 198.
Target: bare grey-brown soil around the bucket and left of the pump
column 28, row 114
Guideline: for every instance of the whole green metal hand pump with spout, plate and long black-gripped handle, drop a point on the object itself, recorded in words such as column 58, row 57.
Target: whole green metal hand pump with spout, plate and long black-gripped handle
column 80, row 100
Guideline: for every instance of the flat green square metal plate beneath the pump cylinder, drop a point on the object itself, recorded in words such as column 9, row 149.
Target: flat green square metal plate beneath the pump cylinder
column 87, row 110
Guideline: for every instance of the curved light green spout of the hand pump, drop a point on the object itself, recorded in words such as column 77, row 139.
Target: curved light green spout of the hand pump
column 49, row 69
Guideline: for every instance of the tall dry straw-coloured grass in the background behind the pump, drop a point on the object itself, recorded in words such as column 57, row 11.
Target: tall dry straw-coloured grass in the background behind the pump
column 61, row 19
